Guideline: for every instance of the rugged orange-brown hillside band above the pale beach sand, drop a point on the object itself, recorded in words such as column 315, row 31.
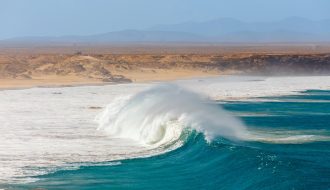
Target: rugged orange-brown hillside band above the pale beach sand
column 126, row 68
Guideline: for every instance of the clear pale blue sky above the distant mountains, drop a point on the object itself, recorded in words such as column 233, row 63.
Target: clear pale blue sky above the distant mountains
column 83, row 17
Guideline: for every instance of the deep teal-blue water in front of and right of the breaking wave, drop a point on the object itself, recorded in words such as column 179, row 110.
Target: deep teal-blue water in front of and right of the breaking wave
column 224, row 164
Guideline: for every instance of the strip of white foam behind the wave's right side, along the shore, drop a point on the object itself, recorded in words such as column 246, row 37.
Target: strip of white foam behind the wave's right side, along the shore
column 242, row 88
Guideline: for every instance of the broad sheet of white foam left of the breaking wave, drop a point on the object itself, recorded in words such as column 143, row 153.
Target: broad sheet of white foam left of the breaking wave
column 42, row 130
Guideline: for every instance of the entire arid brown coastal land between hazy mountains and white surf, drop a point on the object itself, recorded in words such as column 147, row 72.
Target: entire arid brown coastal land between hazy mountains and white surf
column 26, row 65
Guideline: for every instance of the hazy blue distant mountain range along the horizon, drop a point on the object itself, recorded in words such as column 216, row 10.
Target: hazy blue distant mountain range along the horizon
column 293, row 29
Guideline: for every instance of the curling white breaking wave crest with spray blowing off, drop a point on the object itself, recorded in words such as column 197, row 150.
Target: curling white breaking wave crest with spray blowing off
column 159, row 116
